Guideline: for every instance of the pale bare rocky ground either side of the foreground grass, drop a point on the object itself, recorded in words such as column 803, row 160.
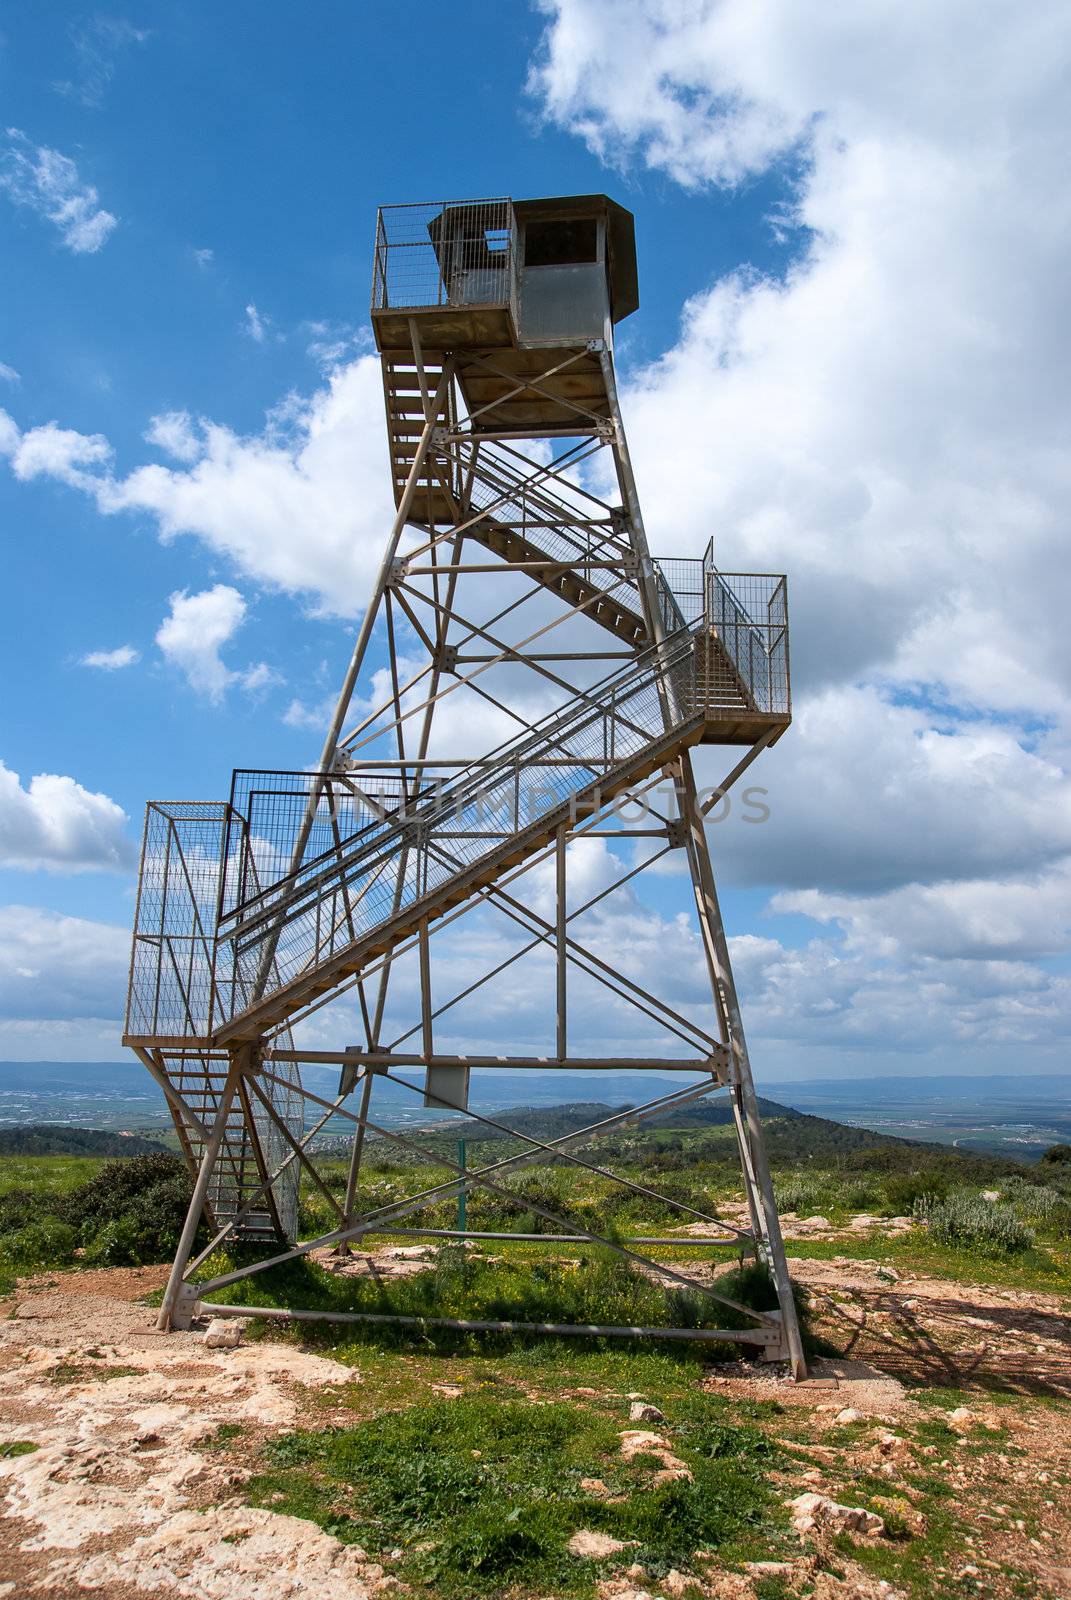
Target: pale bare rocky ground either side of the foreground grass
column 134, row 1489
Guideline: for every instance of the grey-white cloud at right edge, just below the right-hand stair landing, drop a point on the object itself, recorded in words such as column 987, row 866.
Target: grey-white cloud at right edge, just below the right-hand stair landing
column 865, row 794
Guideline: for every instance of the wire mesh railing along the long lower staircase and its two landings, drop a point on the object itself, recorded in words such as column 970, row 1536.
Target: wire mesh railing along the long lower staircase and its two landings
column 225, row 918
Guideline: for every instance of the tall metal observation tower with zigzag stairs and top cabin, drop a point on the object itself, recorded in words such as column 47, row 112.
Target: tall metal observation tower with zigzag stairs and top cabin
column 547, row 681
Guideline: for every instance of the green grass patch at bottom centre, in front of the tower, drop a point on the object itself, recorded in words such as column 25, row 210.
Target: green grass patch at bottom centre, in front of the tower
column 484, row 1494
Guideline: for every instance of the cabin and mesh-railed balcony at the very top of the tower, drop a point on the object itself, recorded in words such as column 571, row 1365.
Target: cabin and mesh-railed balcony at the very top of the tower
column 503, row 274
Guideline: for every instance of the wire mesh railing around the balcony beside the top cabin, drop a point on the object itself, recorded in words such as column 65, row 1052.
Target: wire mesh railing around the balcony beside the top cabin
column 444, row 254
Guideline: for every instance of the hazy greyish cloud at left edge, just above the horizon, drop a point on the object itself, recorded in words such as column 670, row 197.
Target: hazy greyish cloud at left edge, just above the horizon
column 55, row 967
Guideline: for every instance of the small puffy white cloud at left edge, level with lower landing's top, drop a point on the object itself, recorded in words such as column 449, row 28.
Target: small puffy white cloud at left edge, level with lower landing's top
column 58, row 826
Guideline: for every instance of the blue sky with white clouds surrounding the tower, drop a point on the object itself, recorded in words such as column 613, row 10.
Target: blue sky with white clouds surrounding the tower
column 870, row 410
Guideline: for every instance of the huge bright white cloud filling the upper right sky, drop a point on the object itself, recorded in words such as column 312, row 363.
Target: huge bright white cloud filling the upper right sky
column 889, row 420
